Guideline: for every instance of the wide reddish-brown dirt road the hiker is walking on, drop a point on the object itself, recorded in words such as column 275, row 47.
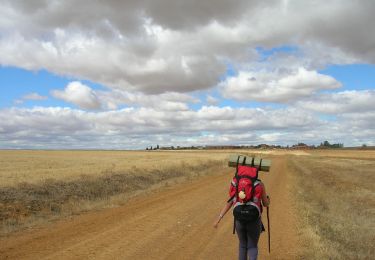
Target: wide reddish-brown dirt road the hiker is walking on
column 174, row 224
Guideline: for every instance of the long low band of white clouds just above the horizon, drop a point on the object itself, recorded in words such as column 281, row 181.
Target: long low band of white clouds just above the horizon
column 133, row 128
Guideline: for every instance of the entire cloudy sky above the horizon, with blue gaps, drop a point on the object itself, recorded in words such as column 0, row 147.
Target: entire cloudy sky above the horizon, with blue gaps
column 140, row 73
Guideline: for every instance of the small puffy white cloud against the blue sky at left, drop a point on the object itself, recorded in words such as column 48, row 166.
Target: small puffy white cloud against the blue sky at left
column 79, row 95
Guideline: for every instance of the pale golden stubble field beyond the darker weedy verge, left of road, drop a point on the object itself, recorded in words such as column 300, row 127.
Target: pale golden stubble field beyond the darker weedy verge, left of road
column 37, row 166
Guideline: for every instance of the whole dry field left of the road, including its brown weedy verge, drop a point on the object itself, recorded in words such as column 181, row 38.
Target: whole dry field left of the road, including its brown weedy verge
column 36, row 186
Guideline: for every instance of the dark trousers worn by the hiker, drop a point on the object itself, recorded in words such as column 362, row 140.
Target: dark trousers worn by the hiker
column 248, row 235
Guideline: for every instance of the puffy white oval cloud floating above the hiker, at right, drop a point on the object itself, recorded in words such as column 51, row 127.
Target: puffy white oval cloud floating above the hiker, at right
column 275, row 87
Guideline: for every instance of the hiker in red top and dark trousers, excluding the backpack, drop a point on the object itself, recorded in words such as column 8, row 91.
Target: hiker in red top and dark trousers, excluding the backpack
column 248, row 232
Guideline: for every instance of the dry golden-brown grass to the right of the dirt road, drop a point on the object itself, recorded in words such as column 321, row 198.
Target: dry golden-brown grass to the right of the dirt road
column 336, row 199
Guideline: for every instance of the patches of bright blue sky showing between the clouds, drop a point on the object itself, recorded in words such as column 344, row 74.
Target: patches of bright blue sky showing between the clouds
column 16, row 83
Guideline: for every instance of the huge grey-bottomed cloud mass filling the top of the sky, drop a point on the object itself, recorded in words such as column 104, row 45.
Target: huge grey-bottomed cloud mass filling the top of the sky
column 167, row 46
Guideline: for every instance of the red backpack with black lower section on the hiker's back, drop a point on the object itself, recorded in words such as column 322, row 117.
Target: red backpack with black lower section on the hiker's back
column 247, row 192
